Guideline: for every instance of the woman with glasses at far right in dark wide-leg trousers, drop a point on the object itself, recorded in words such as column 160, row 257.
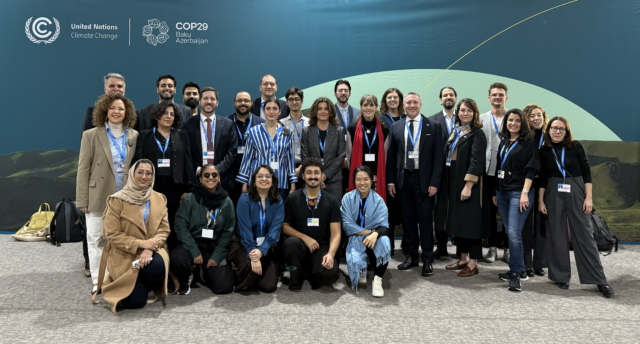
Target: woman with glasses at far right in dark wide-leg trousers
column 566, row 196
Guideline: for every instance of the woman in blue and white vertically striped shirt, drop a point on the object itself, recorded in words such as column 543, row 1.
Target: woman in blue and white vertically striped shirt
column 270, row 143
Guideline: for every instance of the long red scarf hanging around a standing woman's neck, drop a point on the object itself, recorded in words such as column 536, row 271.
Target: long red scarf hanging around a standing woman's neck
column 357, row 159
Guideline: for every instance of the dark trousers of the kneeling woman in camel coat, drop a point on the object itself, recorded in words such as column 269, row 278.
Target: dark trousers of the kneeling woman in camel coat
column 148, row 279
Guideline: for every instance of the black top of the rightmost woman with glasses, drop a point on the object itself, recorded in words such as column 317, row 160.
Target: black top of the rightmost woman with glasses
column 576, row 162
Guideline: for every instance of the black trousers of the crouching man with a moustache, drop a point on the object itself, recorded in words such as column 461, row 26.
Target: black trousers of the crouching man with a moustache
column 306, row 264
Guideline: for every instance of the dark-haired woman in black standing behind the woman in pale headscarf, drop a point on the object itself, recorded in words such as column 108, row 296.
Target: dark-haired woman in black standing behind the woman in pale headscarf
column 167, row 147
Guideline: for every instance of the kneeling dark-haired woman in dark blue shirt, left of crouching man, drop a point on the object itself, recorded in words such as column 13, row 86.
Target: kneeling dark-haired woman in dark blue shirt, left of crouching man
column 260, row 213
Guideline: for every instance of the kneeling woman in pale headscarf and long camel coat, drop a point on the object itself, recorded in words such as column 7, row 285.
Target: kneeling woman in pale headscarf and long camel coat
column 135, row 260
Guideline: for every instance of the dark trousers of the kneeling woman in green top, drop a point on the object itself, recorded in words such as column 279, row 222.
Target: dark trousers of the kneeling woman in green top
column 217, row 278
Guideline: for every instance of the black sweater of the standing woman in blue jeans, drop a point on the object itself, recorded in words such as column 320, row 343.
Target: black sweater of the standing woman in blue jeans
column 522, row 162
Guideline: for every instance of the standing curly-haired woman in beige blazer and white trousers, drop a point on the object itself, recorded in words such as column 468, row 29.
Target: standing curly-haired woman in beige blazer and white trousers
column 106, row 152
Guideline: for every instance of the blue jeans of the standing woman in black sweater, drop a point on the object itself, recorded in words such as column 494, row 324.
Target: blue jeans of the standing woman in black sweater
column 513, row 219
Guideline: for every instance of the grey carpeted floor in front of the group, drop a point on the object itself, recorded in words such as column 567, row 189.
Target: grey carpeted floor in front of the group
column 44, row 297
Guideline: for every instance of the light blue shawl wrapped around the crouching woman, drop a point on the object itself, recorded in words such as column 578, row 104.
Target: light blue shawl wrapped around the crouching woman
column 376, row 215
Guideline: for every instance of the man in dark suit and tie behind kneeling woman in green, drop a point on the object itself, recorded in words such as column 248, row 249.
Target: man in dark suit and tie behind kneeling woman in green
column 213, row 138
